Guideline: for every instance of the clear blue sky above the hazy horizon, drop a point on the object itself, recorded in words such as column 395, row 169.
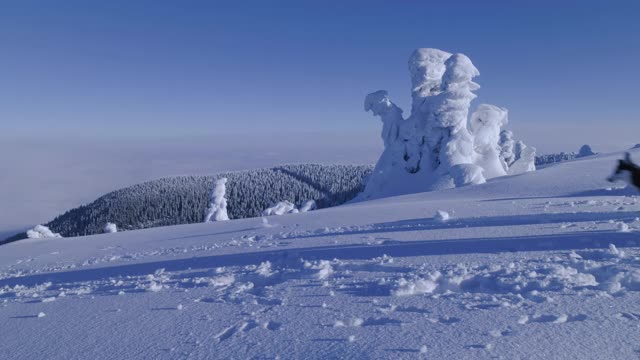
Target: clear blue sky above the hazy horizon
column 167, row 68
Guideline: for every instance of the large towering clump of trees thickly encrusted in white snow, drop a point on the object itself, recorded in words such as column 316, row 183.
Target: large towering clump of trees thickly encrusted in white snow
column 438, row 146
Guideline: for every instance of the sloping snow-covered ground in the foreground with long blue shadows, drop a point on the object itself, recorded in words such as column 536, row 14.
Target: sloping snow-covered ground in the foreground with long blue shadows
column 534, row 266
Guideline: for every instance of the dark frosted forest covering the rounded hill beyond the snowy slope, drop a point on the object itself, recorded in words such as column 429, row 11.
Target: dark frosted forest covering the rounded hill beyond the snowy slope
column 185, row 199
